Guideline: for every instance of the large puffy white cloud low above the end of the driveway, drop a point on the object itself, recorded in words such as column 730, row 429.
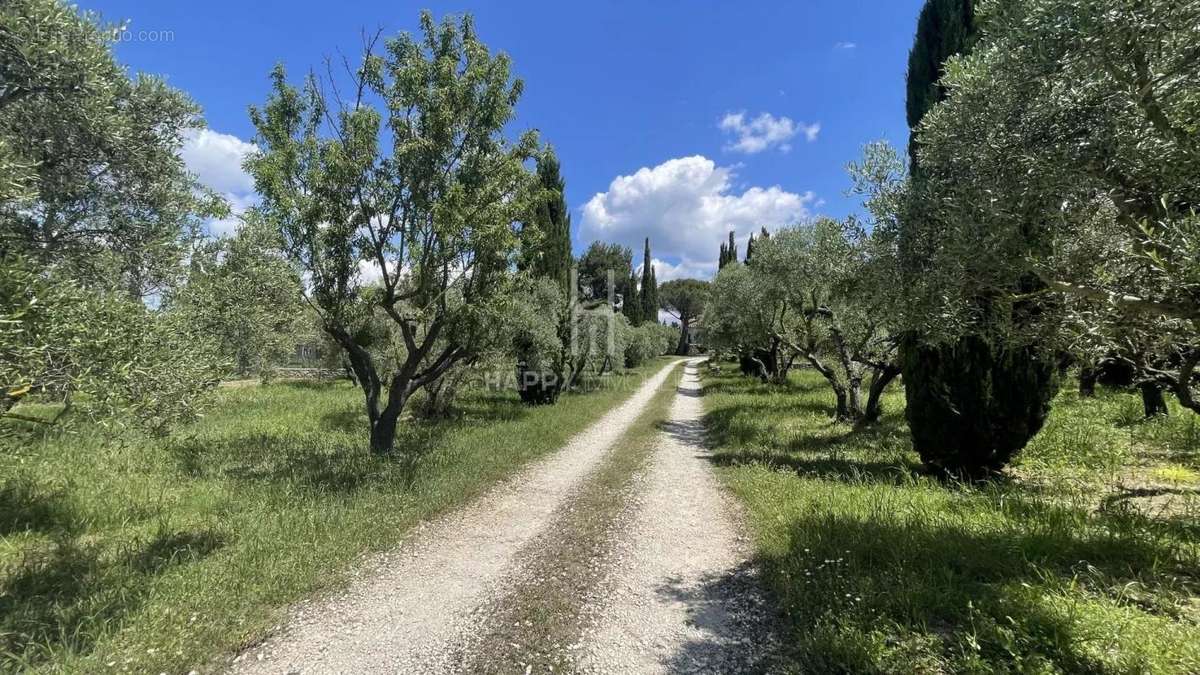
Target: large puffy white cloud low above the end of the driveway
column 687, row 207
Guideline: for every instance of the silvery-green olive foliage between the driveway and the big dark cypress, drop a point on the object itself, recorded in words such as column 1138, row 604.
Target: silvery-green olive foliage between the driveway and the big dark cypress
column 813, row 292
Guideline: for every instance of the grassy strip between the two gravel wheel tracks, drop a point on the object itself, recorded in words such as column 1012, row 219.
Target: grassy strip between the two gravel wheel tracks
column 539, row 620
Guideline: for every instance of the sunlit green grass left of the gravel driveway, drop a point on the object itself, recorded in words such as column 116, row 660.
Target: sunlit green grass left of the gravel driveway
column 130, row 554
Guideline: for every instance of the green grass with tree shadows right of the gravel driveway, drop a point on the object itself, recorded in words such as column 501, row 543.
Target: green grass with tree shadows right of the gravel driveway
column 1072, row 565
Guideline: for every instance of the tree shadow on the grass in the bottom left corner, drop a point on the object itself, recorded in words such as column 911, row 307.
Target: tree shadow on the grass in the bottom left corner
column 68, row 596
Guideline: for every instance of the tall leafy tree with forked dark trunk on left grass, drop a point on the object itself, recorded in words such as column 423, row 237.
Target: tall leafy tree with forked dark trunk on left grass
column 411, row 176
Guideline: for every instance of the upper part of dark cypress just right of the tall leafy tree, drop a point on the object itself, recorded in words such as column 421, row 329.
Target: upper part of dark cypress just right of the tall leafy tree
column 553, row 255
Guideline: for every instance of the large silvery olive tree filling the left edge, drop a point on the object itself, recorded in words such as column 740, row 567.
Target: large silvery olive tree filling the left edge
column 98, row 214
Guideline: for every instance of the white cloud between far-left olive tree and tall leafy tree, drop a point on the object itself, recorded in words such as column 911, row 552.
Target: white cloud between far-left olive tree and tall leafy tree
column 217, row 162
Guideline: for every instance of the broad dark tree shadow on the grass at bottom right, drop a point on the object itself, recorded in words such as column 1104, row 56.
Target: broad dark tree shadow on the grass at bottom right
column 929, row 590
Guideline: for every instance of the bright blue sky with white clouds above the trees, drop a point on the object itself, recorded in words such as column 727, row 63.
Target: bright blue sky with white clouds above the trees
column 641, row 100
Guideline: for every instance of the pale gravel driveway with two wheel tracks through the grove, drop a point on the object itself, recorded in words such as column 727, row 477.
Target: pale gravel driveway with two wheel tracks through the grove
column 676, row 593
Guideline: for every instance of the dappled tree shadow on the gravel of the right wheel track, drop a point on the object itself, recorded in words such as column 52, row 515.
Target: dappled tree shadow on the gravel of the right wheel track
column 737, row 626
